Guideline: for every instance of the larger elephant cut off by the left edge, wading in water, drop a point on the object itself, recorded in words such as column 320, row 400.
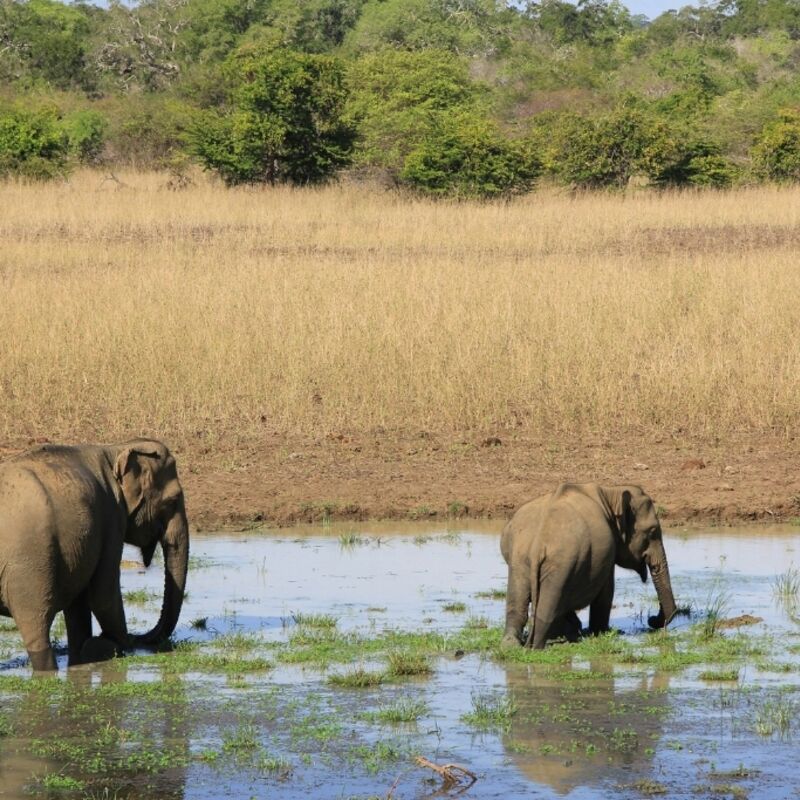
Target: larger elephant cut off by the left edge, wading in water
column 65, row 513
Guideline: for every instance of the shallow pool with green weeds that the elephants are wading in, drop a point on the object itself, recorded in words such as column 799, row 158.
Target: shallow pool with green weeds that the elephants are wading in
column 320, row 662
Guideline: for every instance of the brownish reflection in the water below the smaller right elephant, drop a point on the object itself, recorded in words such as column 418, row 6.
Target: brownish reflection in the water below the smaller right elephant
column 572, row 731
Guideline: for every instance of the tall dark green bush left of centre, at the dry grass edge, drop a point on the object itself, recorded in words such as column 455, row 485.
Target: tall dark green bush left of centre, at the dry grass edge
column 285, row 121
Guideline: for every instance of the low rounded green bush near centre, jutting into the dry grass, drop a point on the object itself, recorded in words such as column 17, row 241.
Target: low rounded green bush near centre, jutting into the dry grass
column 468, row 157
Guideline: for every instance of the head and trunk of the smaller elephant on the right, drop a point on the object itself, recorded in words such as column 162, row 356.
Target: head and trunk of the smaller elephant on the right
column 641, row 548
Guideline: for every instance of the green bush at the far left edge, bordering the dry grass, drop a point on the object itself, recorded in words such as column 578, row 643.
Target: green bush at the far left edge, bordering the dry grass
column 32, row 145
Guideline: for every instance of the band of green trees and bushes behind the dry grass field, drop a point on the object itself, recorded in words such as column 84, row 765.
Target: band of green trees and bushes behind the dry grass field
column 450, row 97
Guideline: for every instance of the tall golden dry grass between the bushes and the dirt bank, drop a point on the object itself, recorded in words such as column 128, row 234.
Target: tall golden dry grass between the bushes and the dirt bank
column 131, row 309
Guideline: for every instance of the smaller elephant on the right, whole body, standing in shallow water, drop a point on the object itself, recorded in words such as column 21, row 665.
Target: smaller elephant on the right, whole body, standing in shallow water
column 561, row 550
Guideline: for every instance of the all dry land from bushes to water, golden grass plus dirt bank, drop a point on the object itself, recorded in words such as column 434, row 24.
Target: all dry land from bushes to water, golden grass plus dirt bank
column 354, row 351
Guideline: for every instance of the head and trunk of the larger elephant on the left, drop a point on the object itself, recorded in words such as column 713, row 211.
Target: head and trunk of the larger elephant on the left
column 156, row 514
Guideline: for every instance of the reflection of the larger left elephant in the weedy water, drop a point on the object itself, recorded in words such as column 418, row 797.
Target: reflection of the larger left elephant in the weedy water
column 97, row 727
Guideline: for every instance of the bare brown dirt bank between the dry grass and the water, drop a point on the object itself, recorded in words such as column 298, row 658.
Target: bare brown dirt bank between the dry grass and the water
column 277, row 480
